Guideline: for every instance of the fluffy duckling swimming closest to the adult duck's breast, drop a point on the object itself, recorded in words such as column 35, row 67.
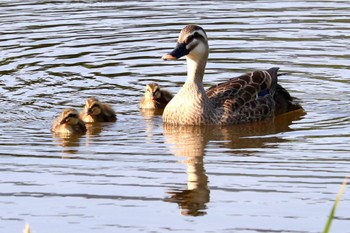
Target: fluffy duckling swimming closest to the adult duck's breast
column 154, row 97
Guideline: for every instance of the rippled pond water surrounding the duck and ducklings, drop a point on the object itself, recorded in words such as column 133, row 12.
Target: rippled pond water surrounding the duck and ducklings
column 137, row 175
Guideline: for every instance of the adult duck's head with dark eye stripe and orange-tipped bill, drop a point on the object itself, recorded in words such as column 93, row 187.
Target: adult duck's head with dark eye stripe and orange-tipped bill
column 192, row 43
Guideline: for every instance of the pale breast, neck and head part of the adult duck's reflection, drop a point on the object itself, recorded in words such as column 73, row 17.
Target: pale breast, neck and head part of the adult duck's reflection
column 190, row 142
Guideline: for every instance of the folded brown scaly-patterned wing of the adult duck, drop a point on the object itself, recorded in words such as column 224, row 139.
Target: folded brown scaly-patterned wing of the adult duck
column 246, row 98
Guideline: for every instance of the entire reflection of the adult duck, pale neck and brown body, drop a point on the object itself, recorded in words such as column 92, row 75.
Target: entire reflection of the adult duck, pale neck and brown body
column 190, row 142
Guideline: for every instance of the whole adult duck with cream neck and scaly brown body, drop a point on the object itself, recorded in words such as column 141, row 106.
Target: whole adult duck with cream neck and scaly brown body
column 250, row 97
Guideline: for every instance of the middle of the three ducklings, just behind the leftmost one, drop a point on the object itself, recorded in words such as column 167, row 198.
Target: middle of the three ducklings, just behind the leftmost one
column 95, row 111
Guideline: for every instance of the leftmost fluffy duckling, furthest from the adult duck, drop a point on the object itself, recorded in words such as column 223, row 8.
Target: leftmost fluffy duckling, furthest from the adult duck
column 68, row 122
